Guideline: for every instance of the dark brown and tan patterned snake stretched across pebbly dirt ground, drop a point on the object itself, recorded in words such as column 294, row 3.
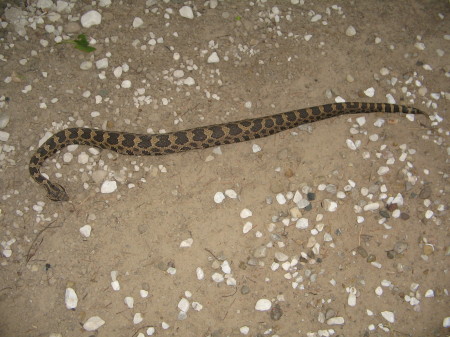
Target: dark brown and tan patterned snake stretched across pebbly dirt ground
column 191, row 139
